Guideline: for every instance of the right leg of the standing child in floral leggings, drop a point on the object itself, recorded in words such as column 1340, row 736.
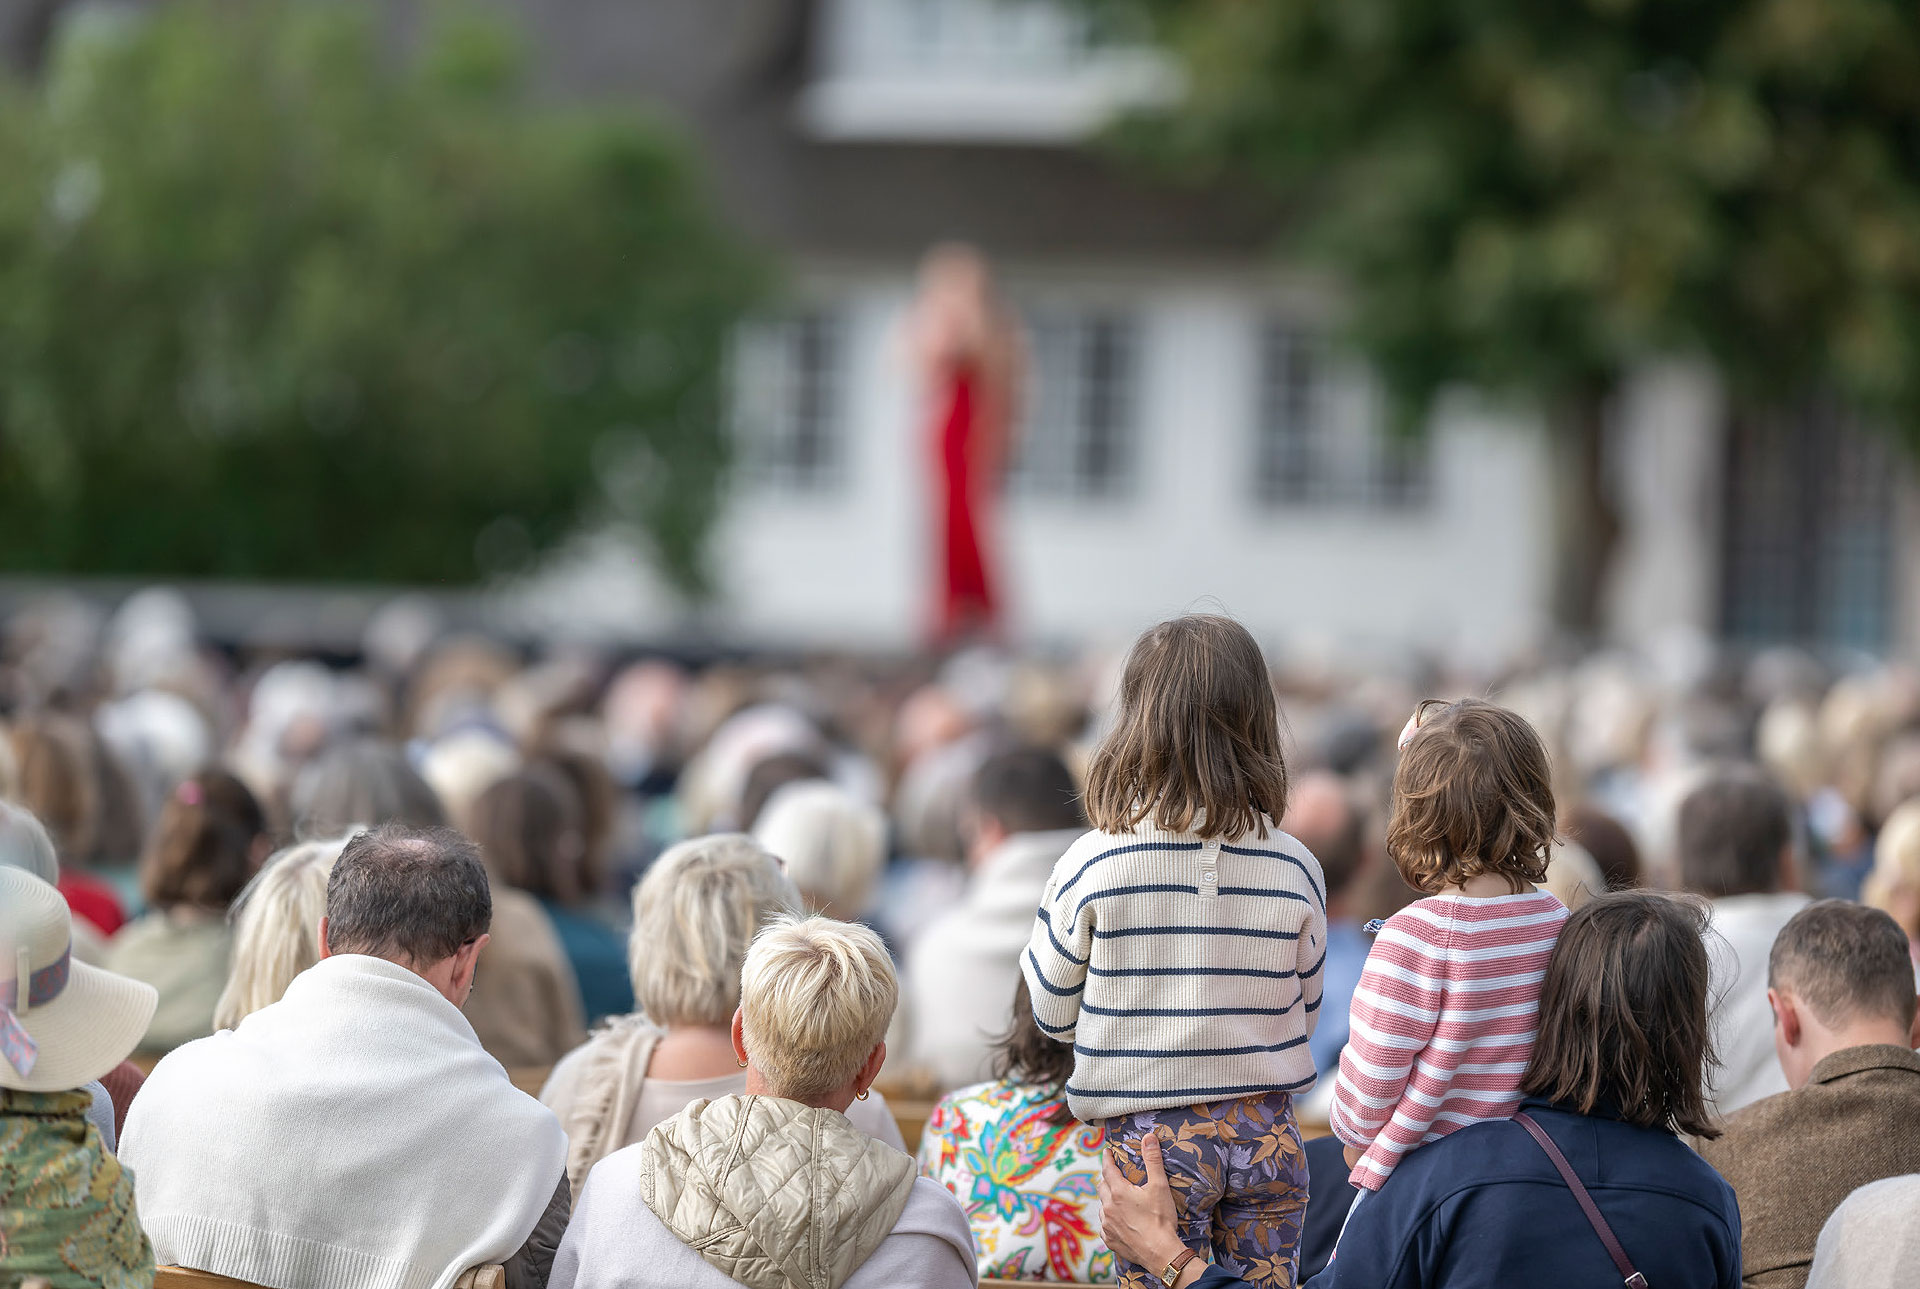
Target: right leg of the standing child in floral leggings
column 1257, row 1228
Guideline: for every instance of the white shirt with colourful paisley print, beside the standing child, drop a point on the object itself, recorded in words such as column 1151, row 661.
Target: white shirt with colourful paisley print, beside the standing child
column 1026, row 1175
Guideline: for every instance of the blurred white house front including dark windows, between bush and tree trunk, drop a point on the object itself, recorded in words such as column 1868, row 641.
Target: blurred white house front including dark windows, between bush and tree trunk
column 1188, row 439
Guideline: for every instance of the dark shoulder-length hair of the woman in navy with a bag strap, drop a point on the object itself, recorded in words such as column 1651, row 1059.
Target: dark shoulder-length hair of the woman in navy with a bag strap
column 1623, row 1015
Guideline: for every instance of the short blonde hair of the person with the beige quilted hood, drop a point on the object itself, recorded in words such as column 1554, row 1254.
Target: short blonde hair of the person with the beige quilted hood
column 815, row 1004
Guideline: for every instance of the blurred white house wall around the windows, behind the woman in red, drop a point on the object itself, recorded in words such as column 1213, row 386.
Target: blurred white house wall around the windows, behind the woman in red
column 1462, row 575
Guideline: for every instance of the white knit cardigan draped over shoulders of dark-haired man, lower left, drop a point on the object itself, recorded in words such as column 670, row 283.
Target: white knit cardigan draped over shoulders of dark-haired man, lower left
column 350, row 1136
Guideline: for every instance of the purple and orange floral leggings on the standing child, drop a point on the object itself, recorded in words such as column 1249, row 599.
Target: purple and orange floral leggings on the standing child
column 1239, row 1177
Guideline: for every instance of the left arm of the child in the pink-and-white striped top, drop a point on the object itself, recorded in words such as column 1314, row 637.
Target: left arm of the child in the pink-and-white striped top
column 1397, row 1009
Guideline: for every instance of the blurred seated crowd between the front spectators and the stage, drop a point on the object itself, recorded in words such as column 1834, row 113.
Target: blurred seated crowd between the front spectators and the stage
column 168, row 767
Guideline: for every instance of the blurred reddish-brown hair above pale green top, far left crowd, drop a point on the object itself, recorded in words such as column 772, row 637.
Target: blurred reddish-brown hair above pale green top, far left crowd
column 204, row 844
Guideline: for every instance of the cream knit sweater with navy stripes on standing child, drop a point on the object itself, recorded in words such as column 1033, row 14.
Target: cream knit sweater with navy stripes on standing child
column 1182, row 971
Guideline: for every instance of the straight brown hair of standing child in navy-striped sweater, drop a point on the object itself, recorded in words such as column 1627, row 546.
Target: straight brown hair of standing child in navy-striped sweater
column 1197, row 744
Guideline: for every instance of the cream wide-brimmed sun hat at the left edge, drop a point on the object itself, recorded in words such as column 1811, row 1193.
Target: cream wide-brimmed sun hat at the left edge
column 62, row 1023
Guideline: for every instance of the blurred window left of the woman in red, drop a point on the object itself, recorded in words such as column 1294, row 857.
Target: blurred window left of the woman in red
column 788, row 401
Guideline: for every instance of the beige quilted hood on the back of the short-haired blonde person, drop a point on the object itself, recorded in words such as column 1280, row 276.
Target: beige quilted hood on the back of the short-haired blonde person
column 775, row 1194
